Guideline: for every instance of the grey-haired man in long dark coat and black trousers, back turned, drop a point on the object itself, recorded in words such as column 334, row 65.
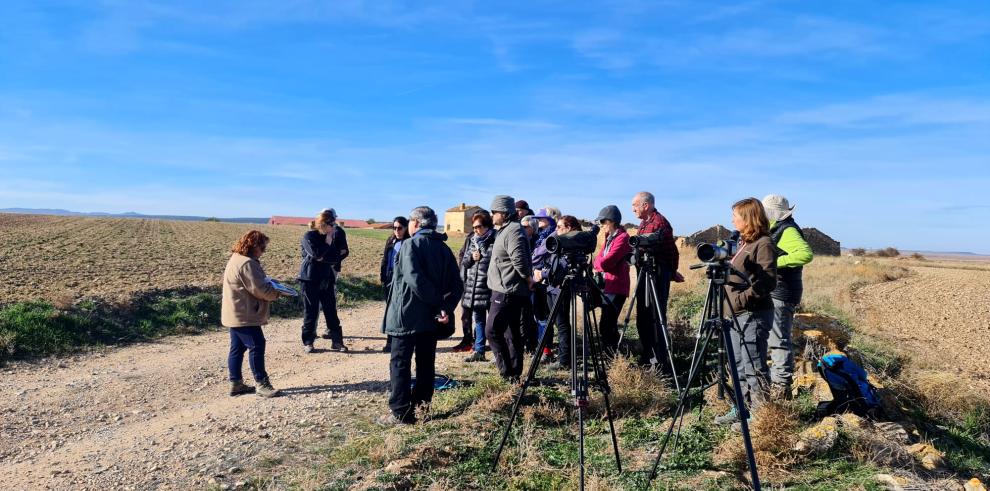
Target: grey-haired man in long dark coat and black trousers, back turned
column 426, row 286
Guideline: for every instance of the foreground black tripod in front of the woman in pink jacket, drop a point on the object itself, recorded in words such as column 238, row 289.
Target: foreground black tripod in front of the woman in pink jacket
column 576, row 284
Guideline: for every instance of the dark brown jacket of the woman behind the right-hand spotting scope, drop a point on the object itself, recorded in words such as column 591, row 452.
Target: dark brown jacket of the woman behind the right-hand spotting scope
column 758, row 262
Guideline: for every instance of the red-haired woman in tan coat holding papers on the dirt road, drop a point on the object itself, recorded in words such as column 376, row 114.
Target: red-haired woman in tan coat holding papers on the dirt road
column 247, row 297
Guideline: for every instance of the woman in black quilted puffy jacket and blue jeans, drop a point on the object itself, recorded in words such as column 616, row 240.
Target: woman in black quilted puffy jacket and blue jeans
column 474, row 269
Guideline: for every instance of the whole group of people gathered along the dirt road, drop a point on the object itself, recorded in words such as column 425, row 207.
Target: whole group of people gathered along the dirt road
column 503, row 280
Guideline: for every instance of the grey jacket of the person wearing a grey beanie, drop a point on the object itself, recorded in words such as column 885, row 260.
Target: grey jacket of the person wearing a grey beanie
column 511, row 264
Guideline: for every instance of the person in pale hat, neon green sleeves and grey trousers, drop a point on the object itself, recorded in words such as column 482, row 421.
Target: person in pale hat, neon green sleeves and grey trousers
column 789, row 238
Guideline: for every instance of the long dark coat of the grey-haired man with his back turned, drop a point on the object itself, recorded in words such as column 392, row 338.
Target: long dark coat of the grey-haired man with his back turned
column 425, row 281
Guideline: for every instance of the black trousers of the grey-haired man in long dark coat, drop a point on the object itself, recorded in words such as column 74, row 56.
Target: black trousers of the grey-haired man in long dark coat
column 404, row 398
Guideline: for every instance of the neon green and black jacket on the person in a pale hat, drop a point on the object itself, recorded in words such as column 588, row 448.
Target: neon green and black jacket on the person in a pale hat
column 790, row 266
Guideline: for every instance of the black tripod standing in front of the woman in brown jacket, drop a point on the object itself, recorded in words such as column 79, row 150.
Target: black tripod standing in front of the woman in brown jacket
column 714, row 324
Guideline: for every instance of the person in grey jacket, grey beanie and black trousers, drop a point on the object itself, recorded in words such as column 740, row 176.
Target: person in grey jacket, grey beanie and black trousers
column 510, row 280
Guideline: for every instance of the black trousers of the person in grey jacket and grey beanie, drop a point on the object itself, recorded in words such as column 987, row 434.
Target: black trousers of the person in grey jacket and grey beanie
column 504, row 334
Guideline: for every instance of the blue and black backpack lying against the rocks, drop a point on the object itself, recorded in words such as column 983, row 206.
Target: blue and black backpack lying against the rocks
column 850, row 387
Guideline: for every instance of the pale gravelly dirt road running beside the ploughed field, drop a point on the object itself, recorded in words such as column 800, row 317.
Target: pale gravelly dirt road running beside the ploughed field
column 157, row 416
